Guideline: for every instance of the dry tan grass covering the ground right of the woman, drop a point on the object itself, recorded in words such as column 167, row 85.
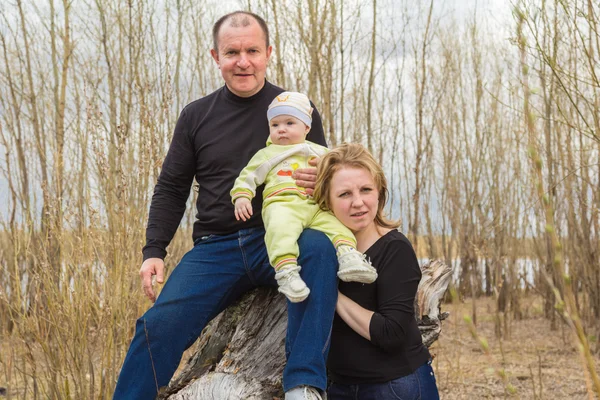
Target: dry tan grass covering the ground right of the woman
column 539, row 363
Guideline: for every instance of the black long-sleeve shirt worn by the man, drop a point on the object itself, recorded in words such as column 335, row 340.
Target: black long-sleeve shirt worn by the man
column 214, row 139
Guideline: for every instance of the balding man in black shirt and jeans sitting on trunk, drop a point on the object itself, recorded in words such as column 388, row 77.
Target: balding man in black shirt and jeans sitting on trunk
column 213, row 140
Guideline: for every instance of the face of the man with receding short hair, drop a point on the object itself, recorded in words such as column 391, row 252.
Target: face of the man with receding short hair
column 242, row 56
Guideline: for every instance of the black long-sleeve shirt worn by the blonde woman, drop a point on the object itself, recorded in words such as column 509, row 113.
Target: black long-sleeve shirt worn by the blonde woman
column 396, row 348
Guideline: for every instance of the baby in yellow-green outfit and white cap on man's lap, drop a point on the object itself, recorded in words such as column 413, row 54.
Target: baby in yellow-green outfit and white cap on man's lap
column 287, row 208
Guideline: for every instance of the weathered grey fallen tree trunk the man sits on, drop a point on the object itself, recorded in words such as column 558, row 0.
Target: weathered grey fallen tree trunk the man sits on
column 241, row 352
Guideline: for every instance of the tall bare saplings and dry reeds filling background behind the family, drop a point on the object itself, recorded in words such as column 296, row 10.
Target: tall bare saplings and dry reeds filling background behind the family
column 89, row 95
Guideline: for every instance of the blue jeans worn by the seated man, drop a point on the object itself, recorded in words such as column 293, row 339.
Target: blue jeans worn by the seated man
column 211, row 276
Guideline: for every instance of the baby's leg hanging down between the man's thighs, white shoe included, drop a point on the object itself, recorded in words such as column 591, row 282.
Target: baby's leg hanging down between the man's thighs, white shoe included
column 283, row 226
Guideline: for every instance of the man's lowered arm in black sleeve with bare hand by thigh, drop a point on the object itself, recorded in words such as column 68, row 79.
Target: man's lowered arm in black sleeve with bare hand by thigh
column 168, row 204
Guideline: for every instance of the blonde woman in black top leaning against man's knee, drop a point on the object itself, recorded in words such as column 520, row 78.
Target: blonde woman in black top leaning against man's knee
column 376, row 347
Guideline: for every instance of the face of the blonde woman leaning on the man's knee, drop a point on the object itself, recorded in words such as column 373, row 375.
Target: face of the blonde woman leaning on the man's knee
column 354, row 198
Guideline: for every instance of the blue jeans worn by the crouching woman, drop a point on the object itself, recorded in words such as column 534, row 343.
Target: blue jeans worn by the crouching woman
column 420, row 385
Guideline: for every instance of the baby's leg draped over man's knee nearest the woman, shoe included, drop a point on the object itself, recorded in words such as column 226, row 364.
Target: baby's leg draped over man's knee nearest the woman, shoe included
column 353, row 265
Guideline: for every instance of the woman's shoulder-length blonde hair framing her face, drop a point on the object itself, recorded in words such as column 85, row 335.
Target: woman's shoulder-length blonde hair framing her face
column 354, row 156
